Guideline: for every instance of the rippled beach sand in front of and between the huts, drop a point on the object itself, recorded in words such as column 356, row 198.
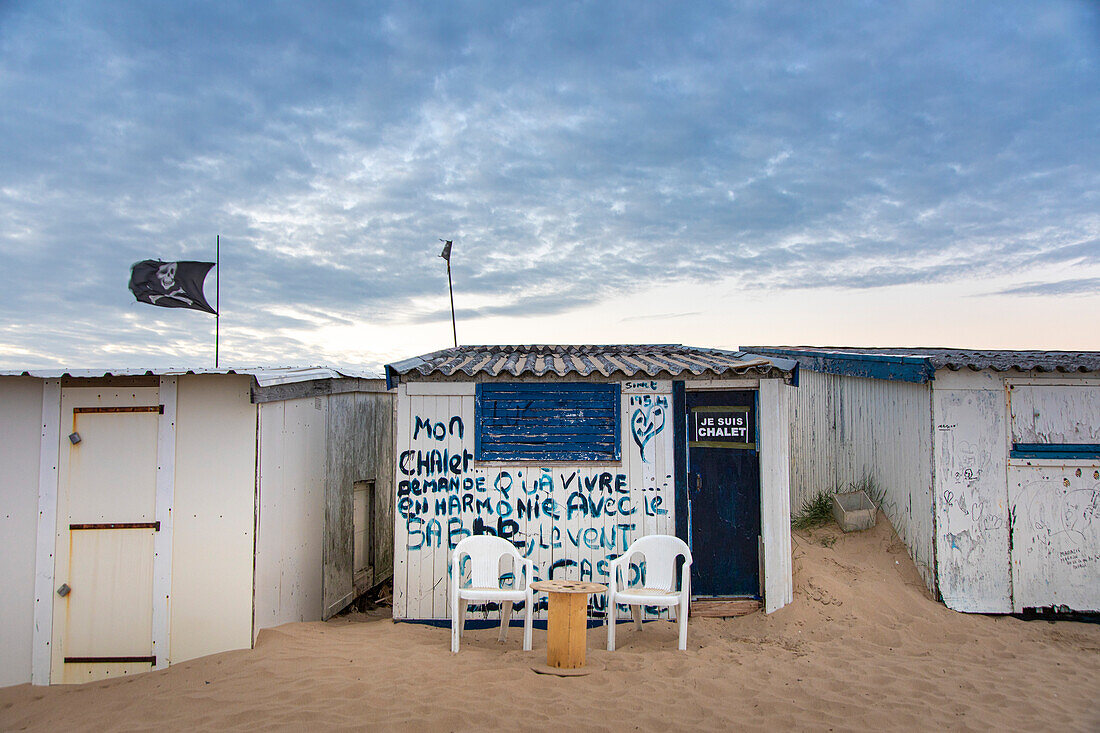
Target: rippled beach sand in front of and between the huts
column 863, row 647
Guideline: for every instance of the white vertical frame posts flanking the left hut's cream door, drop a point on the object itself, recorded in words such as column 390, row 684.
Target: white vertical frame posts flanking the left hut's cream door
column 47, row 539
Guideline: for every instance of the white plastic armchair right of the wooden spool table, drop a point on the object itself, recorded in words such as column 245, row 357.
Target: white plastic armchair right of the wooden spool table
column 661, row 553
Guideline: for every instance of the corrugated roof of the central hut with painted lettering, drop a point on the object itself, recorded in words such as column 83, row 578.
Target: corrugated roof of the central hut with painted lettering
column 664, row 360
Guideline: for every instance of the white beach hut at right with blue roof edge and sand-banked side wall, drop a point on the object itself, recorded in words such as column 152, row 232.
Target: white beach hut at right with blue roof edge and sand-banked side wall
column 988, row 464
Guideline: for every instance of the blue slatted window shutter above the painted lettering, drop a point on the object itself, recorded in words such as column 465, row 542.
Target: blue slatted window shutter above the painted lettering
column 548, row 422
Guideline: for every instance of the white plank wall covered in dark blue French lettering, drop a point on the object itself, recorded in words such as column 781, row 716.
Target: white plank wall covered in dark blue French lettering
column 635, row 499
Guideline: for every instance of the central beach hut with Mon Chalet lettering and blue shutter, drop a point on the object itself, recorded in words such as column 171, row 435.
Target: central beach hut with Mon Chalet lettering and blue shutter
column 574, row 452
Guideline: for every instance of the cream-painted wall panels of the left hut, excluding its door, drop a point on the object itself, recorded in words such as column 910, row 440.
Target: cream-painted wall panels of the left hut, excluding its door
column 206, row 488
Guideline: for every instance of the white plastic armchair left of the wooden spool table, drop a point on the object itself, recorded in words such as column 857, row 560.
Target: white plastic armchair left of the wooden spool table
column 486, row 553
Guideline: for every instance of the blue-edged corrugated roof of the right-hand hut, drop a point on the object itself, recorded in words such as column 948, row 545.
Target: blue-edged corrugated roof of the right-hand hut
column 953, row 359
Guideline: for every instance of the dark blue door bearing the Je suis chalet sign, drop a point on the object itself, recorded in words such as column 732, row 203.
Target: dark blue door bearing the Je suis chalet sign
column 724, row 494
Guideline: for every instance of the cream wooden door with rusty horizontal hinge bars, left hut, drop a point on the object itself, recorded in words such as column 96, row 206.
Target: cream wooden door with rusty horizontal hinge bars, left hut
column 106, row 528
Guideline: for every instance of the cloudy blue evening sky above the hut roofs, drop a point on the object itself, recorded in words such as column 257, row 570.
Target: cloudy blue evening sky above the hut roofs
column 711, row 174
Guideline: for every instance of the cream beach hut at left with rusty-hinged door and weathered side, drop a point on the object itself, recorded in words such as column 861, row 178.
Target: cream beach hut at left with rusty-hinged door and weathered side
column 152, row 517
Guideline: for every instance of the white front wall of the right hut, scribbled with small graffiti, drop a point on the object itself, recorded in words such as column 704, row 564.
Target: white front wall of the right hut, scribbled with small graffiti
column 1016, row 533
